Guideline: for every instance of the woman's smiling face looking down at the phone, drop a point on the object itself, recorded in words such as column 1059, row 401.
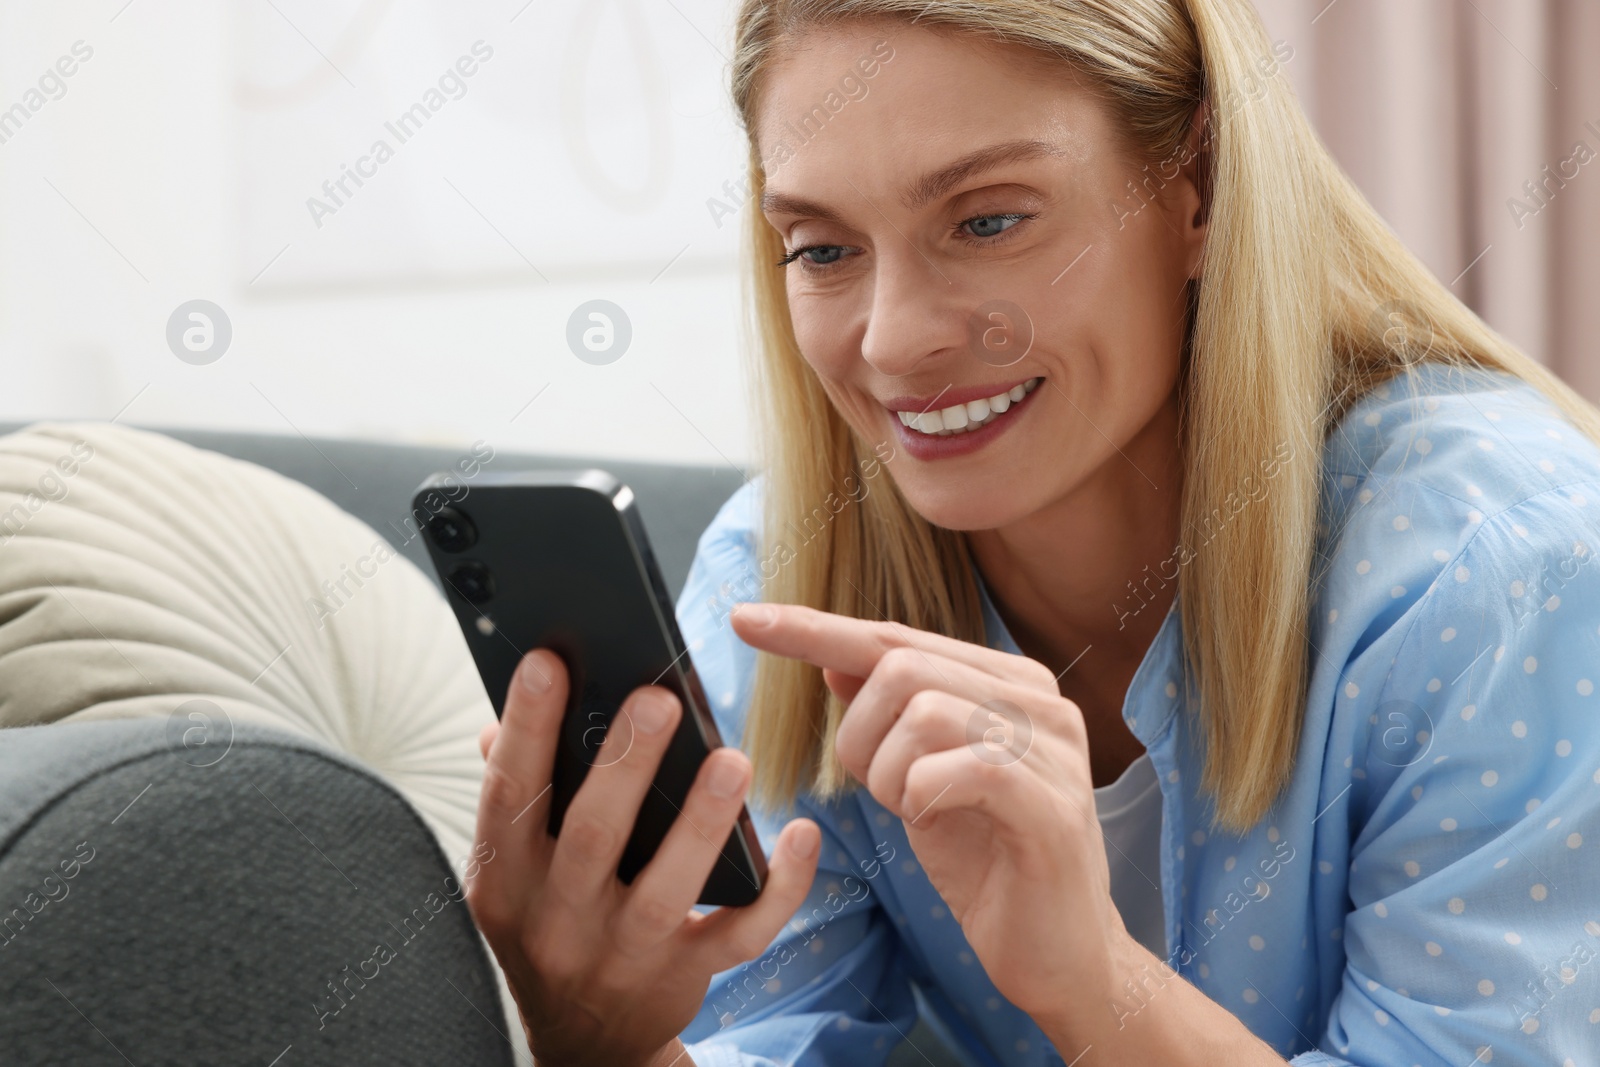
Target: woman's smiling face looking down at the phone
column 967, row 255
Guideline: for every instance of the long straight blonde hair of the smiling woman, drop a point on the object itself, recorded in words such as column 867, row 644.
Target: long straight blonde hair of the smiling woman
column 1292, row 322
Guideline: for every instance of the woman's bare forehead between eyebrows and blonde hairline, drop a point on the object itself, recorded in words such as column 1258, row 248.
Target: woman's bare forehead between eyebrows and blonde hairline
column 886, row 92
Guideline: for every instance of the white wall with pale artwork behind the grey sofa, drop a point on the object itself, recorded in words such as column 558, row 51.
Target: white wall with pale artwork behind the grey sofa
column 433, row 303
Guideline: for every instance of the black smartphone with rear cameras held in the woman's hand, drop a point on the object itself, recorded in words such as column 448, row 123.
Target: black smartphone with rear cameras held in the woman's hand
column 559, row 559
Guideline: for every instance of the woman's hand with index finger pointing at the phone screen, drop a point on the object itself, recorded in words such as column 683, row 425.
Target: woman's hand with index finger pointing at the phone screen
column 988, row 765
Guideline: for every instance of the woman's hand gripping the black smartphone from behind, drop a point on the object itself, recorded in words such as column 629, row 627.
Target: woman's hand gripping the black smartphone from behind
column 602, row 972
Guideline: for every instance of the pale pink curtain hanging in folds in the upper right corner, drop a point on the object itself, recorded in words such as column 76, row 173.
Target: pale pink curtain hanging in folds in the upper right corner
column 1474, row 129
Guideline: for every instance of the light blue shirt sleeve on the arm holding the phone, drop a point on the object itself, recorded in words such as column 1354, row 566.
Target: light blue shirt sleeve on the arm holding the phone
column 833, row 986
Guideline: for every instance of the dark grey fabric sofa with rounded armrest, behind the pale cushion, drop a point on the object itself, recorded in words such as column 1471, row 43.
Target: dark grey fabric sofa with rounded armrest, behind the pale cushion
column 284, row 906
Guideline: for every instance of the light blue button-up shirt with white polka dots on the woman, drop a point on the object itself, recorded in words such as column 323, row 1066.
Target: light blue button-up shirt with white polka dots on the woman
column 1426, row 890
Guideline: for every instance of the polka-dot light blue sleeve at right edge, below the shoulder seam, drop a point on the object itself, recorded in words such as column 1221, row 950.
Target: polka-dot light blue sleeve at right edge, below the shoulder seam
column 1474, row 877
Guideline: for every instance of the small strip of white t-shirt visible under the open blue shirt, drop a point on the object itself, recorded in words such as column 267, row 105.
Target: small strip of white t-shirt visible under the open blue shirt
column 1130, row 815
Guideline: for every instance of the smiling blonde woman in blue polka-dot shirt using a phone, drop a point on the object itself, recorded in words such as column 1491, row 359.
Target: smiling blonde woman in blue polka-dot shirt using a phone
column 1084, row 282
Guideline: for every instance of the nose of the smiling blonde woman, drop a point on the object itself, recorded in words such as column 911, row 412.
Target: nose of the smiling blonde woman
column 914, row 313
